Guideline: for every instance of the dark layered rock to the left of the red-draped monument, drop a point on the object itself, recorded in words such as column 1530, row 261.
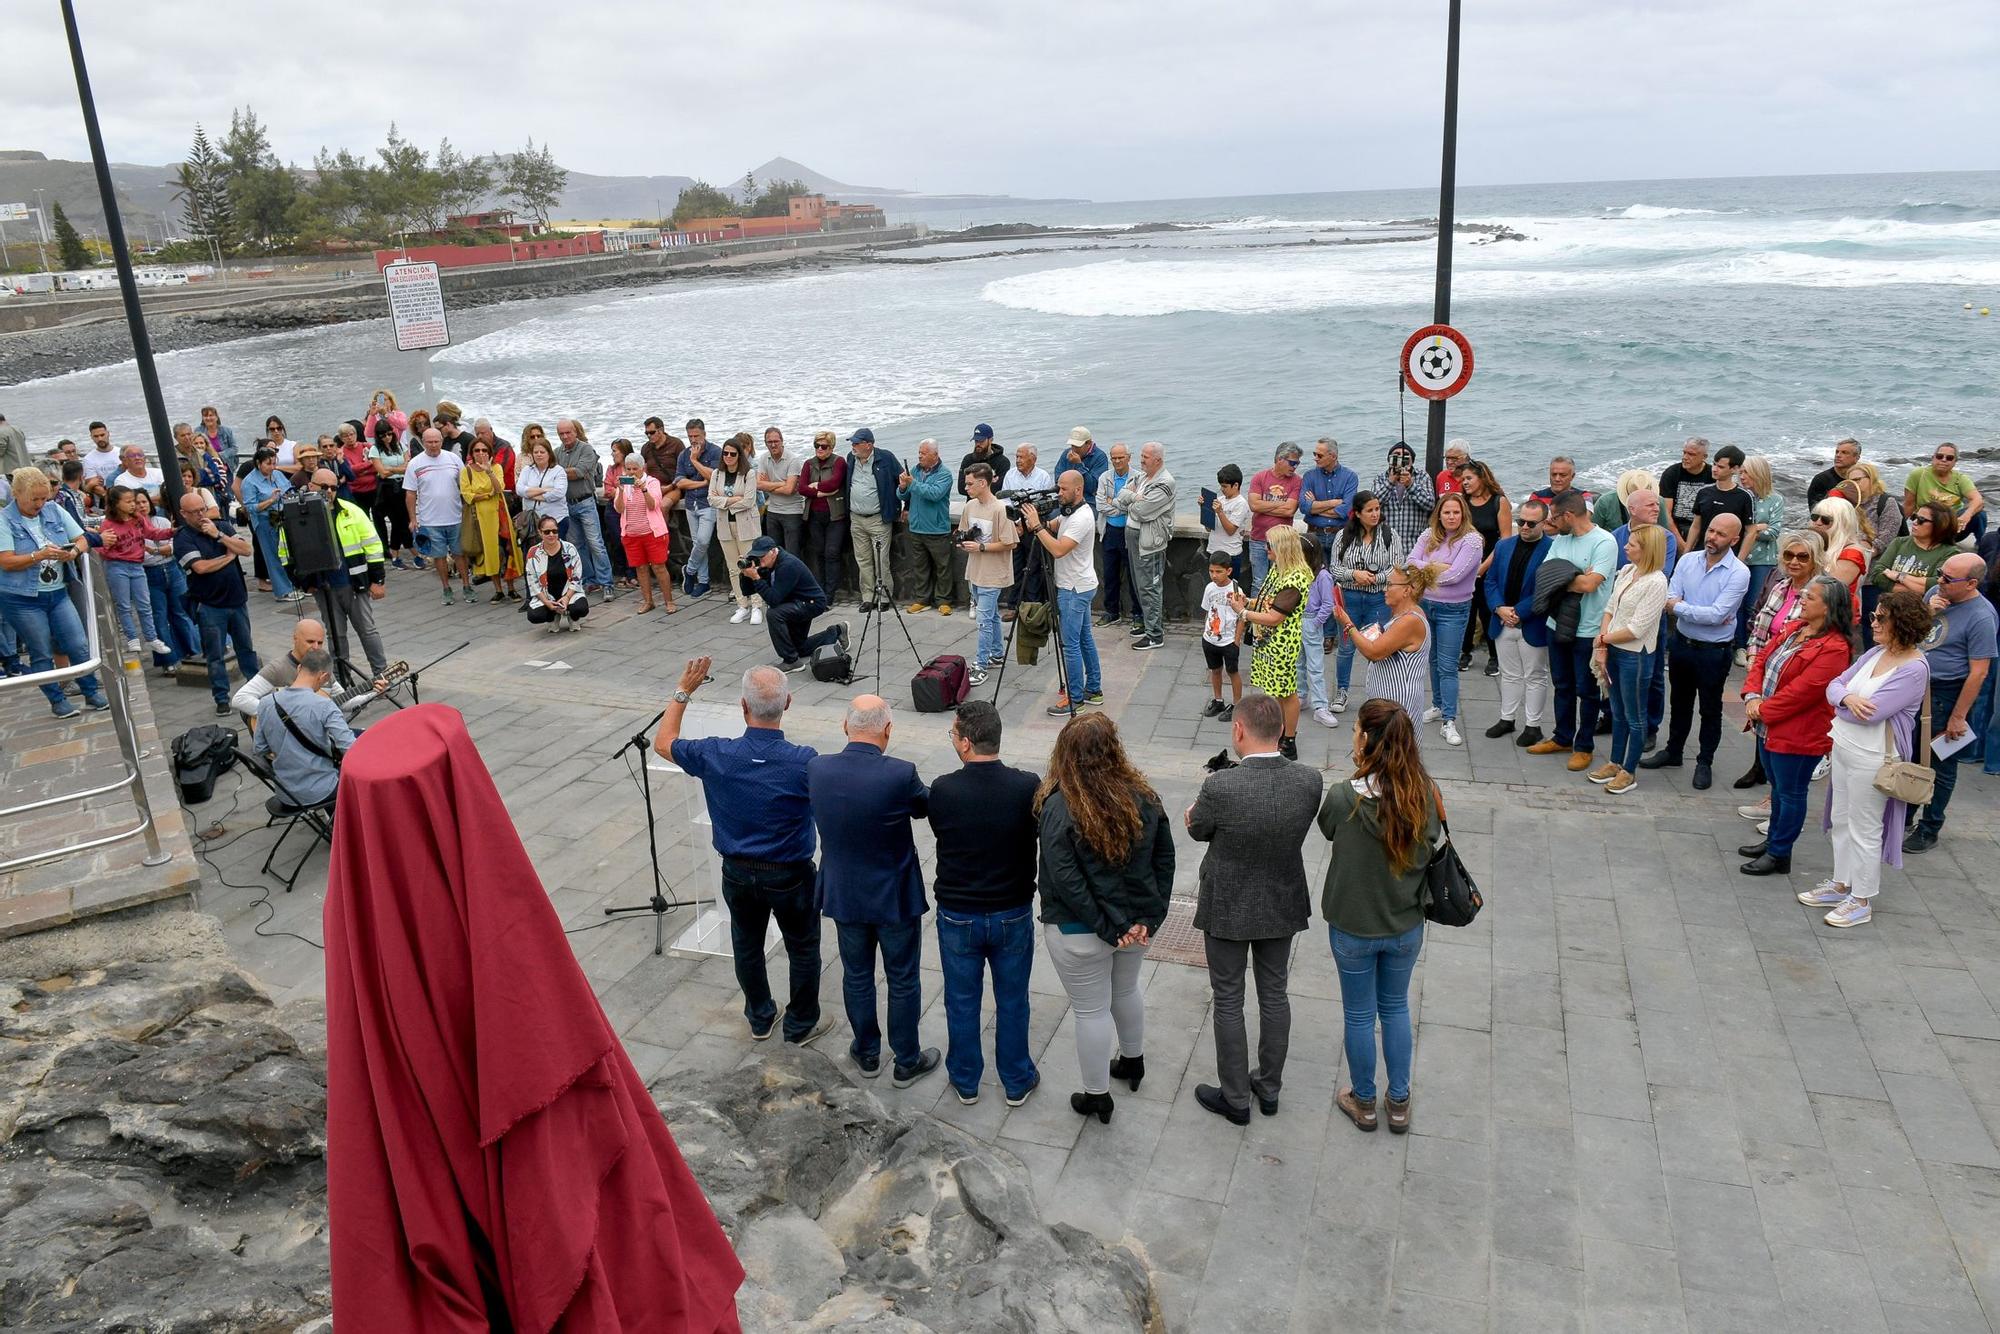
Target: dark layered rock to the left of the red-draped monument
column 161, row 1139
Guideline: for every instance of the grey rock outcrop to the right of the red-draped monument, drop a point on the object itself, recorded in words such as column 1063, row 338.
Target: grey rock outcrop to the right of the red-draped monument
column 849, row 1217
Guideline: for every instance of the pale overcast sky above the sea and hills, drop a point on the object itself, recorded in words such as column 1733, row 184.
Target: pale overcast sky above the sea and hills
column 1107, row 99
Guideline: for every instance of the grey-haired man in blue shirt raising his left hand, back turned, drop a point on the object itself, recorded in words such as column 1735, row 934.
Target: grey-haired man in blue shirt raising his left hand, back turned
column 755, row 787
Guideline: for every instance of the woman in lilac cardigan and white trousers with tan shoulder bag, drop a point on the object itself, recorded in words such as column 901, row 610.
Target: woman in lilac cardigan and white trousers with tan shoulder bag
column 1875, row 715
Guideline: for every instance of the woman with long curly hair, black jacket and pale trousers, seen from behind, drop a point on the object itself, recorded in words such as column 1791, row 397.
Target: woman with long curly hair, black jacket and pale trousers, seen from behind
column 1107, row 875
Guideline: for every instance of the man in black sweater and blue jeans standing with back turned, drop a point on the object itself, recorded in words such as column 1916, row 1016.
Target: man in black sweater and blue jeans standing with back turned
column 985, row 887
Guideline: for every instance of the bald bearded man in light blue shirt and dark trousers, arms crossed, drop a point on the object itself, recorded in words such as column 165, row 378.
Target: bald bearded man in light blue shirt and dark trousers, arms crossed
column 1703, row 603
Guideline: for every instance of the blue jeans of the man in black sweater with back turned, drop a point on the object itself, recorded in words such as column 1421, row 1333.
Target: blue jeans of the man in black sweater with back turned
column 969, row 943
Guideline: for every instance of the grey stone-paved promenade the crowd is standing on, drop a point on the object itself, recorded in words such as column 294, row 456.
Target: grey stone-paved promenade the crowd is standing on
column 1651, row 1095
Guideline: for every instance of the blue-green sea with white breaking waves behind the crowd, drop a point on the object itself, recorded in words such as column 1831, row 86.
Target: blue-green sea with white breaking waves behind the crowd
column 1777, row 315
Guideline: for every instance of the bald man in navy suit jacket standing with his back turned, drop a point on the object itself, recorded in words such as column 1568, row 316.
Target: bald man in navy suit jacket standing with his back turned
column 873, row 889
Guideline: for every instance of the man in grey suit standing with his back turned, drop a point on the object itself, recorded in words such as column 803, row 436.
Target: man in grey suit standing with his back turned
column 1253, row 901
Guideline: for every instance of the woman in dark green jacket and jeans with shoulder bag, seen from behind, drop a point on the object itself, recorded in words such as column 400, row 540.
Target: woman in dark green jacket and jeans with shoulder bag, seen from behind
column 1383, row 825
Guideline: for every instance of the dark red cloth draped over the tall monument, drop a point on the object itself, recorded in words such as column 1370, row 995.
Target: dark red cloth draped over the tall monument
column 493, row 1157
